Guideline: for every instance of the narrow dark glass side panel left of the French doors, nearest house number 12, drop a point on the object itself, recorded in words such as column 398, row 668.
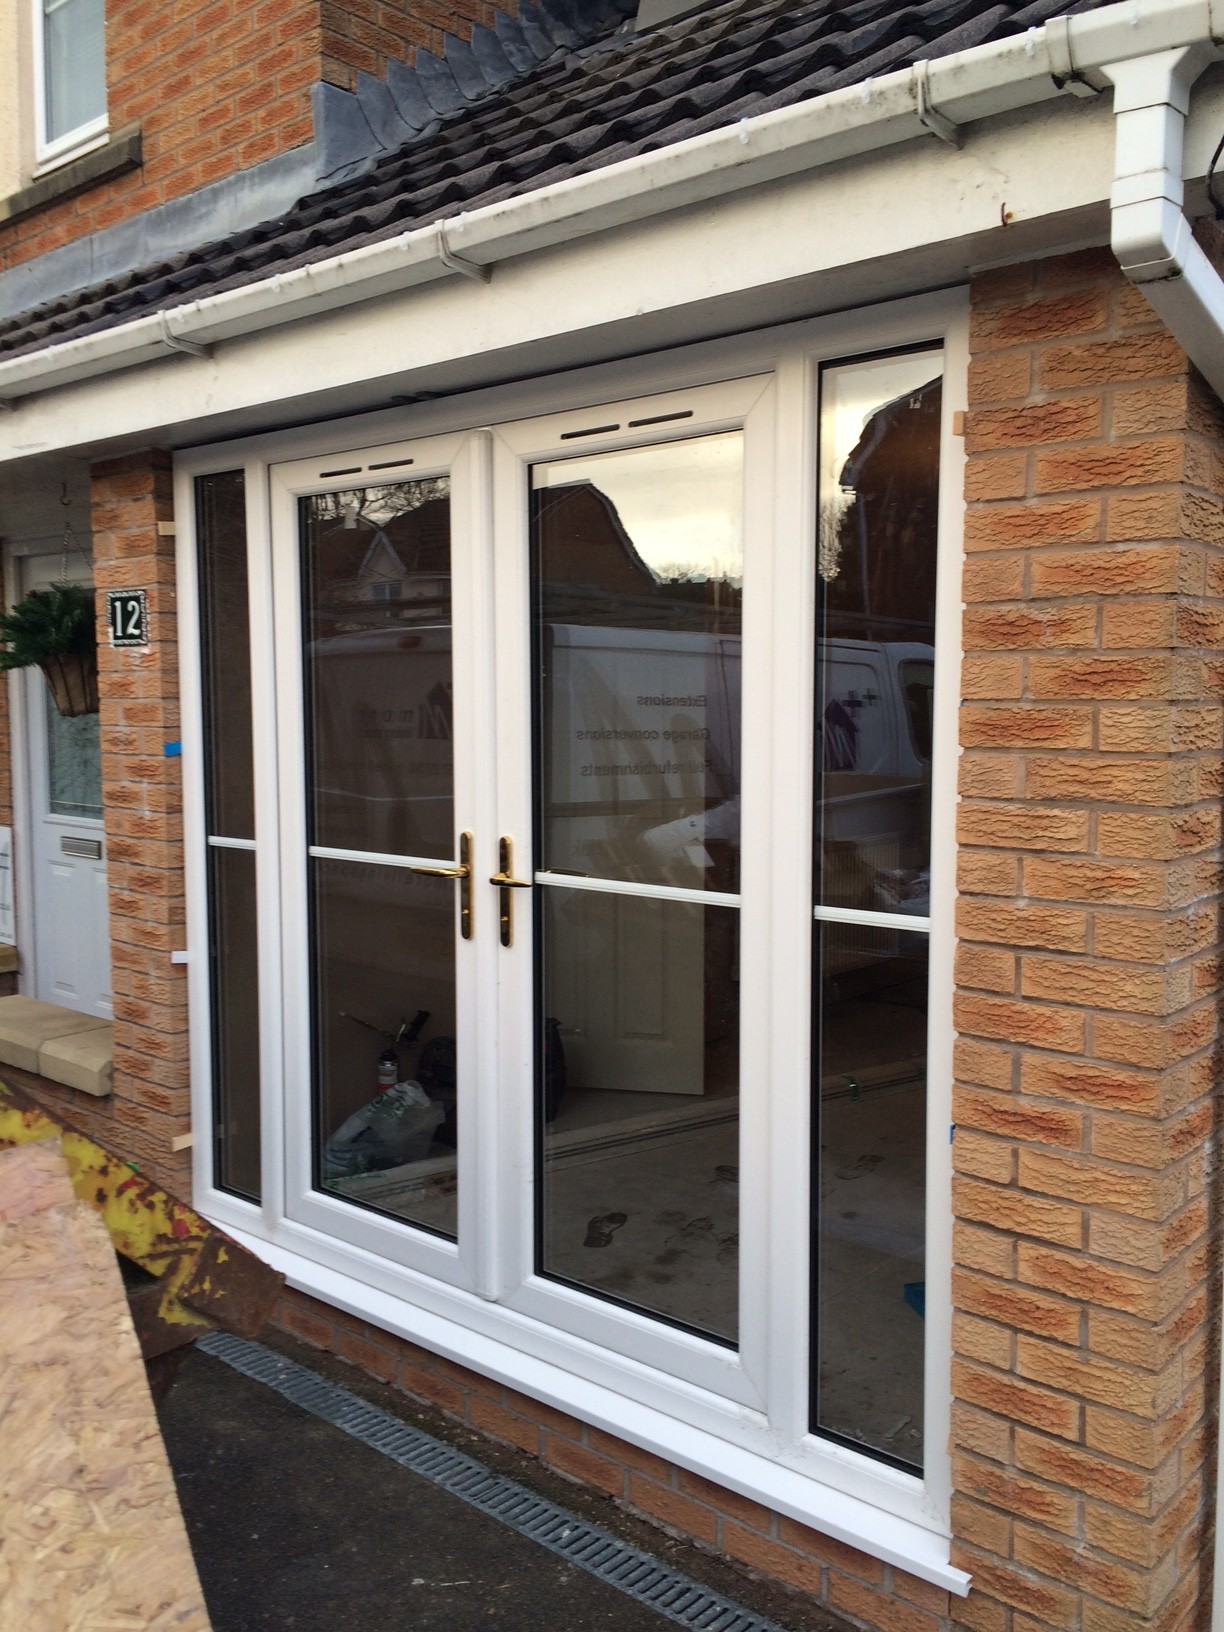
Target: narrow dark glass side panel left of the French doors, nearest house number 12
column 229, row 781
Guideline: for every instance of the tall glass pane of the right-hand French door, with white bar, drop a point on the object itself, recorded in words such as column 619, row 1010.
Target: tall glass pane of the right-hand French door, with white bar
column 637, row 564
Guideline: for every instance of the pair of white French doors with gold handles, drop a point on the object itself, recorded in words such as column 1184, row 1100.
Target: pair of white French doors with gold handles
column 355, row 623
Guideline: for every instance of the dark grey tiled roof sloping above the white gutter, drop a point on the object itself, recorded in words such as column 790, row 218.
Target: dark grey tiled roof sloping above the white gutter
column 557, row 92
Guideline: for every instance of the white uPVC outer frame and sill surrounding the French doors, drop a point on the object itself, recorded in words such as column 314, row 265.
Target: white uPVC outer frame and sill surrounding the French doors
column 760, row 1450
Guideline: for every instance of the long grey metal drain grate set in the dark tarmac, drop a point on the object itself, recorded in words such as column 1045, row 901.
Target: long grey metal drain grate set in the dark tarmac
column 574, row 1540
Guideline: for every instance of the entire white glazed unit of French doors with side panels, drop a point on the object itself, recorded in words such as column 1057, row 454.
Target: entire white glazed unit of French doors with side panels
column 613, row 965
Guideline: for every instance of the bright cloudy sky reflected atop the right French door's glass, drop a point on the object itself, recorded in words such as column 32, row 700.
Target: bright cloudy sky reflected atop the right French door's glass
column 681, row 503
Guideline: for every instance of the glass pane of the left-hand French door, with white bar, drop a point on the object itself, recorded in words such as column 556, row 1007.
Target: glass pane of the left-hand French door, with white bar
column 379, row 802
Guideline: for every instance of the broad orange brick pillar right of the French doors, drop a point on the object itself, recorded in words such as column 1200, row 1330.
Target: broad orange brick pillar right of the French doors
column 1088, row 973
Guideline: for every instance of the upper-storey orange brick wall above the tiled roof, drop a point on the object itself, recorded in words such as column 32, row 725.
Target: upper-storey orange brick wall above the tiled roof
column 220, row 86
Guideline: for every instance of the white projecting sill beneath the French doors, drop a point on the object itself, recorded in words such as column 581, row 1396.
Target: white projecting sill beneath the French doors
column 858, row 1523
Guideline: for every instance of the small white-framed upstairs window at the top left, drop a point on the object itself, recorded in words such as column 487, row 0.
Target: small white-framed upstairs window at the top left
column 71, row 76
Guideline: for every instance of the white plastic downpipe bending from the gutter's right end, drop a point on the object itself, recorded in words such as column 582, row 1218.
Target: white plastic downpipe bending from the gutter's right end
column 1160, row 255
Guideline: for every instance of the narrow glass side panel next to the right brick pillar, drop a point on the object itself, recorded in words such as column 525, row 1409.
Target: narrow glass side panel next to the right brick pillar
column 879, row 507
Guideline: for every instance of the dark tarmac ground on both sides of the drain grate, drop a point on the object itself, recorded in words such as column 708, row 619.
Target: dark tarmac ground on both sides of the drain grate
column 298, row 1527
